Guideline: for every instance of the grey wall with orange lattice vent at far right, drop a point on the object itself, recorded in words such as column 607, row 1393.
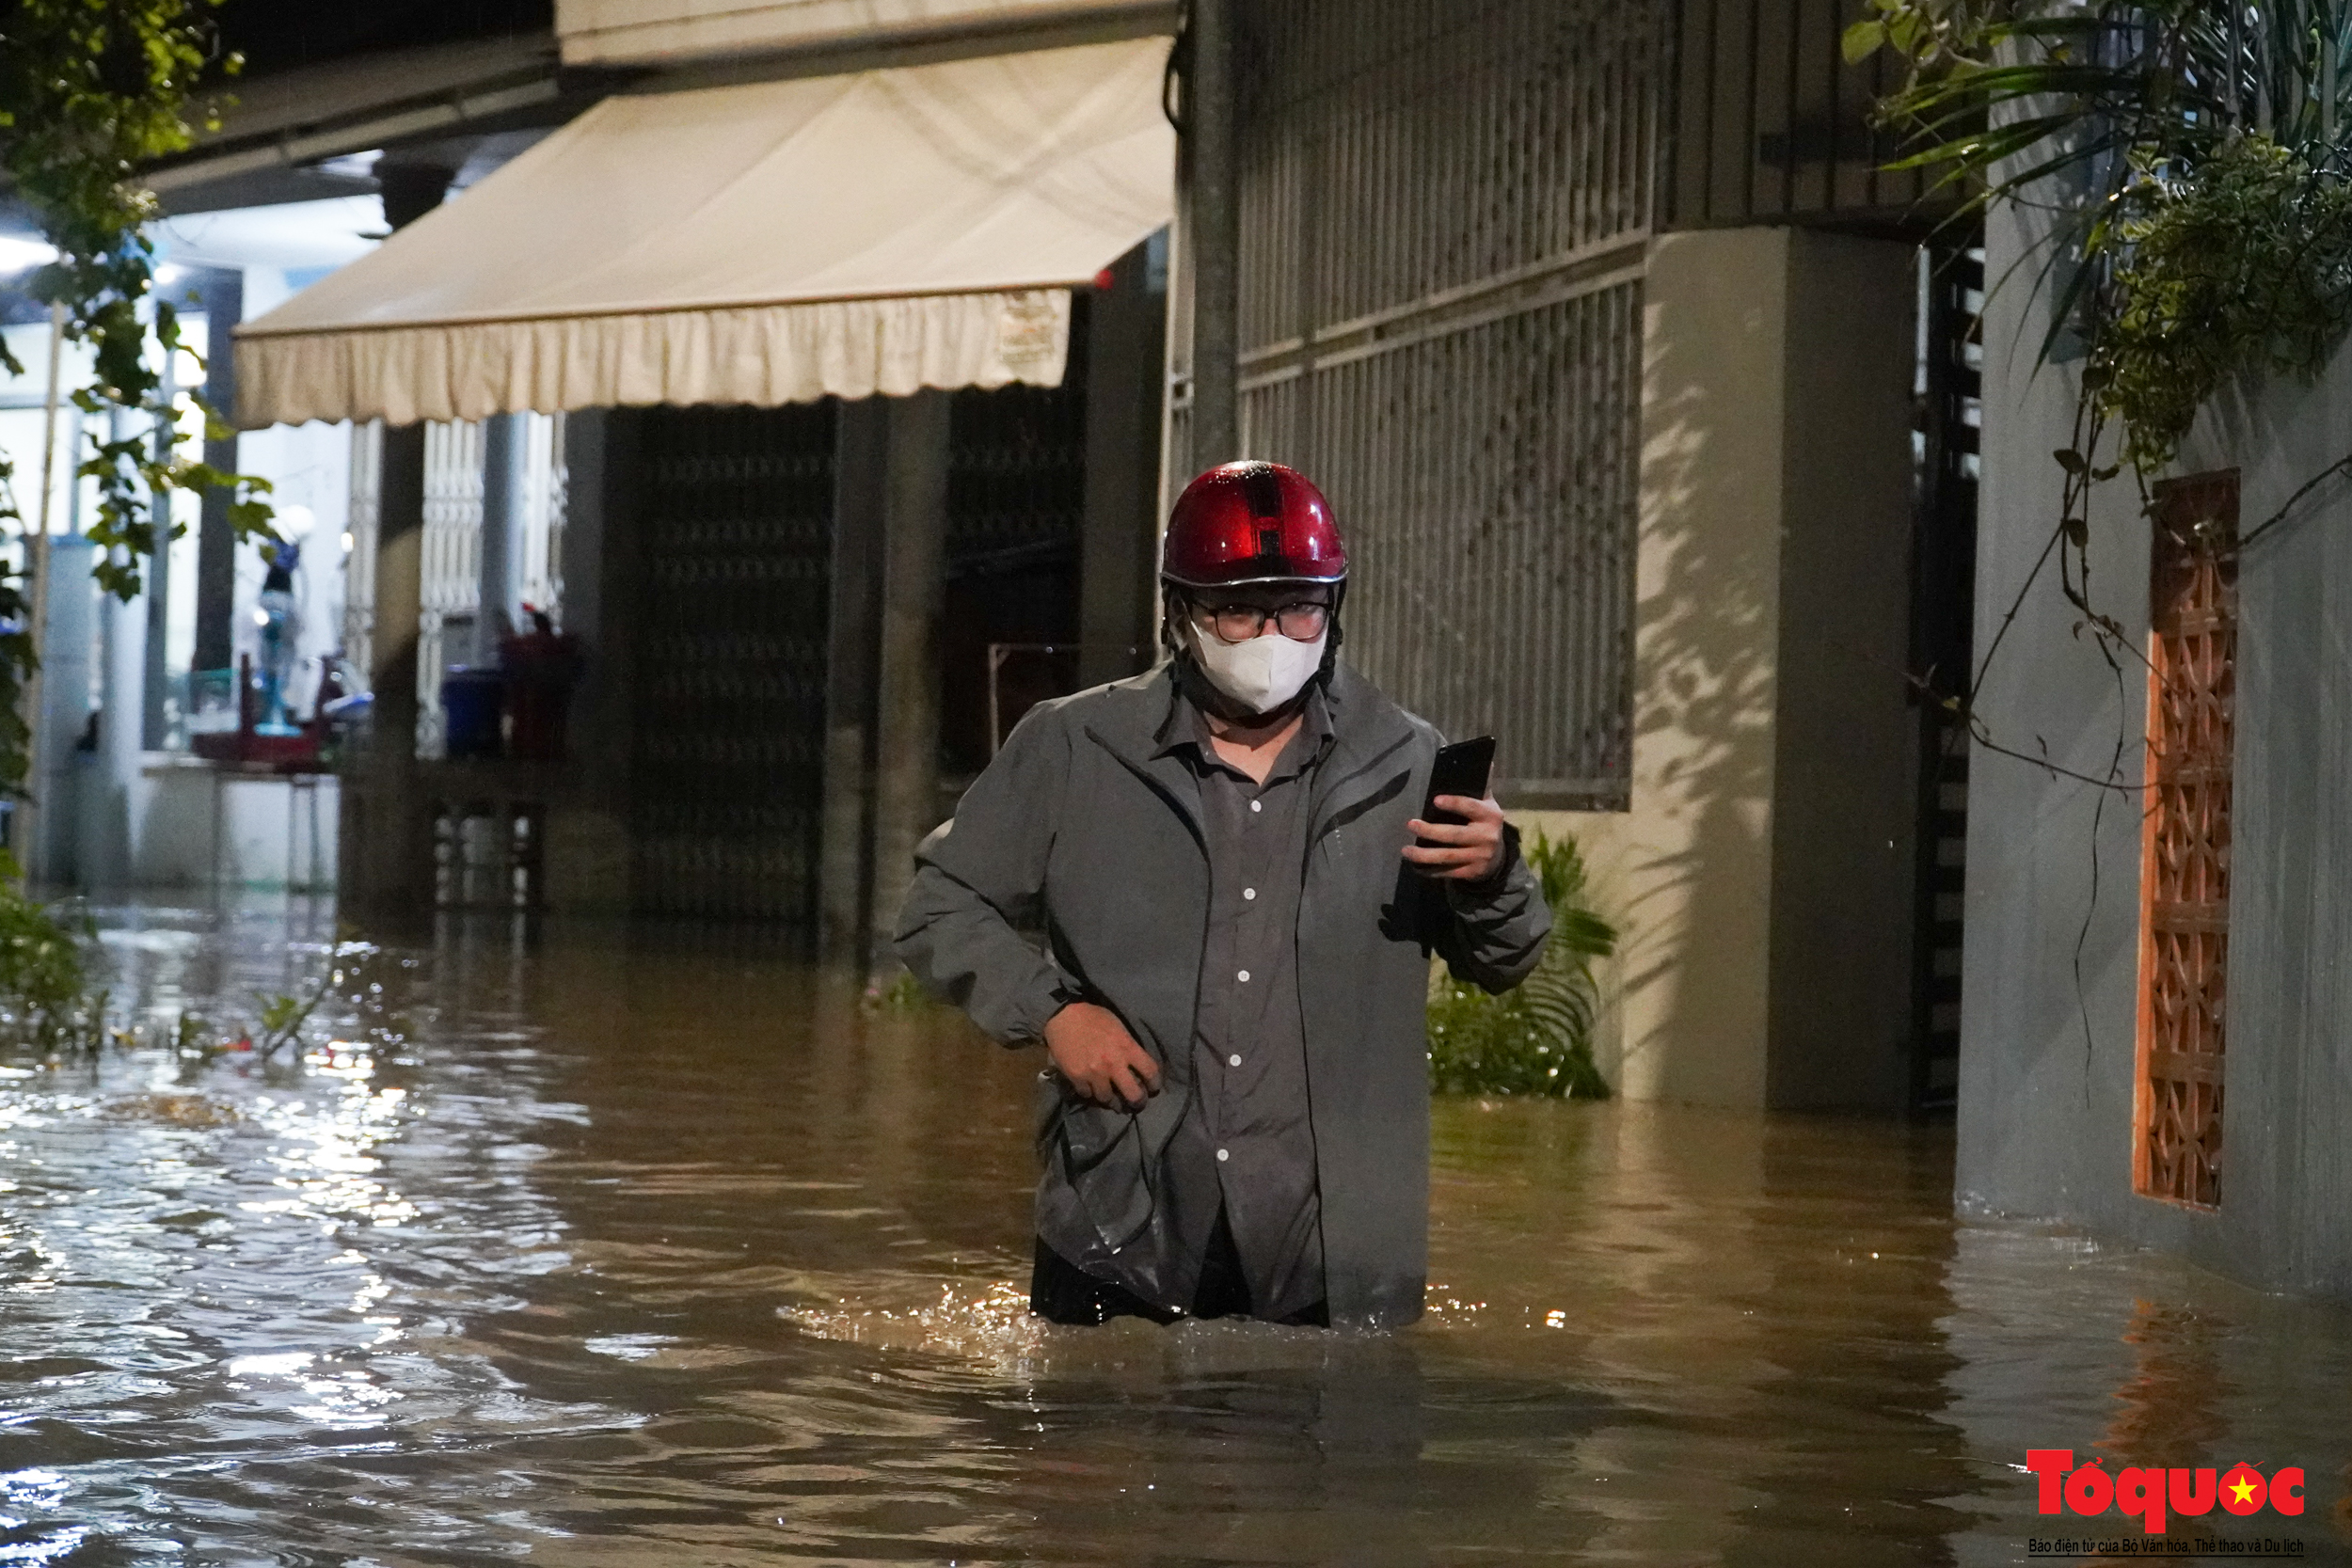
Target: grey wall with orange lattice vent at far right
column 2156, row 998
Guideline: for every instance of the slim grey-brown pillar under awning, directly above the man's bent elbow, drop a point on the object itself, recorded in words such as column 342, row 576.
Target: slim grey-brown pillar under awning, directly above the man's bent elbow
column 914, row 596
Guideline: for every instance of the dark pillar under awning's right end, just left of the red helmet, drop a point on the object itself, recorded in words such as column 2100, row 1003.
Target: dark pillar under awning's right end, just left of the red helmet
column 1121, row 535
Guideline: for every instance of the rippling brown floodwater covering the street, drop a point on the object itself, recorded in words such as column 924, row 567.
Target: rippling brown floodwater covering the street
column 657, row 1249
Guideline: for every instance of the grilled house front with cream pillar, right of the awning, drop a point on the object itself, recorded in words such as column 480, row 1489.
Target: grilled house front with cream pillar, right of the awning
column 1603, row 328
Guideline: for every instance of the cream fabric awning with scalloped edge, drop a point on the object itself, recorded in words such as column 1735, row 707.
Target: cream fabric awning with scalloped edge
column 756, row 246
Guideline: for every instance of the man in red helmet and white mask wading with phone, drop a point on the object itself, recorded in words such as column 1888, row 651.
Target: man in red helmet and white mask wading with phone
column 1236, row 942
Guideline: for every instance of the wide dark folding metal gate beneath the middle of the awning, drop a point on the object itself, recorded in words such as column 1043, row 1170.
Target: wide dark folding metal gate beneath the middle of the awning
column 730, row 685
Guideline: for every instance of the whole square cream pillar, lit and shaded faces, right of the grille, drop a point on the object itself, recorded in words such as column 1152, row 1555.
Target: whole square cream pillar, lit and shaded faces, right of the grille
column 1763, row 876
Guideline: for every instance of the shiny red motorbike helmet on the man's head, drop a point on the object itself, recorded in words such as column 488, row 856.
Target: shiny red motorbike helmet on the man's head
column 1252, row 523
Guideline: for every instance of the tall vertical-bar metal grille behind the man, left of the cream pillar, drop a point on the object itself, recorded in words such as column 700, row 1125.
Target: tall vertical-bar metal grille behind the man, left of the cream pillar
column 1445, row 217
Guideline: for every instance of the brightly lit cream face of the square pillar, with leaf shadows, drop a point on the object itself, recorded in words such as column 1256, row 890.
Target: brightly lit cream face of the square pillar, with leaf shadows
column 1688, row 873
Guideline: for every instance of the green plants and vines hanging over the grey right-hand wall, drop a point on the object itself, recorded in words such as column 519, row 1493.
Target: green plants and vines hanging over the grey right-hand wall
column 2186, row 168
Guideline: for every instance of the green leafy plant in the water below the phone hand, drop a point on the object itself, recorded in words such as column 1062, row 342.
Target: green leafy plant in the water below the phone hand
column 1535, row 1040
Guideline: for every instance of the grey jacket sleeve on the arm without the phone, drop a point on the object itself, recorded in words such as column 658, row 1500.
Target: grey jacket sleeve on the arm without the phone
column 980, row 880
